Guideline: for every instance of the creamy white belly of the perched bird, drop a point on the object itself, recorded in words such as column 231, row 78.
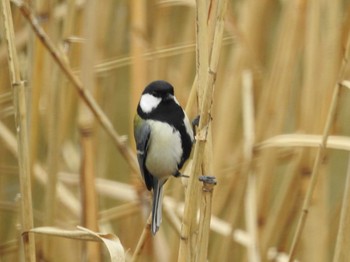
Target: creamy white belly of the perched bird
column 165, row 150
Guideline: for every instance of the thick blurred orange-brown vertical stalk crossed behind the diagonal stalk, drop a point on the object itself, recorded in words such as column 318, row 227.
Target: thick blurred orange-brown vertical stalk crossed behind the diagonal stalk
column 87, row 131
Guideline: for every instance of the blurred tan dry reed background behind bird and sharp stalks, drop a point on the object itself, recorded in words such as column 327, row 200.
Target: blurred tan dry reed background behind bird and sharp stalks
column 292, row 51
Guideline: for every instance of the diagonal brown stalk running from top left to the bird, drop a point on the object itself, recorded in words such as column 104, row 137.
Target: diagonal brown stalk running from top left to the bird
column 125, row 151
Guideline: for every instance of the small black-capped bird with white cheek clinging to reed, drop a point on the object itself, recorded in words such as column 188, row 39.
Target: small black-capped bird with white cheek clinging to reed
column 164, row 138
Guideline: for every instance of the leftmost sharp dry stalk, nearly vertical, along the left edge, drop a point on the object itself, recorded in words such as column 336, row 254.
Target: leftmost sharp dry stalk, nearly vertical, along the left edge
column 22, row 133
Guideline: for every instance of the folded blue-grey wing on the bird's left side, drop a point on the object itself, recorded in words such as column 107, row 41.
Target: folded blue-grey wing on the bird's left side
column 142, row 133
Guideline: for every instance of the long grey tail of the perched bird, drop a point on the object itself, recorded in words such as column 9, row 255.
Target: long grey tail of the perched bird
column 157, row 205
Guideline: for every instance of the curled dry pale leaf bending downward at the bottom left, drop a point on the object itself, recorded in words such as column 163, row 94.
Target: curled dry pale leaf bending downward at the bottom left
column 111, row 241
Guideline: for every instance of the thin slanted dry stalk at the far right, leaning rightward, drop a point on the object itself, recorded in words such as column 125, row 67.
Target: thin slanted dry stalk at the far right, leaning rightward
column 320, row 154
